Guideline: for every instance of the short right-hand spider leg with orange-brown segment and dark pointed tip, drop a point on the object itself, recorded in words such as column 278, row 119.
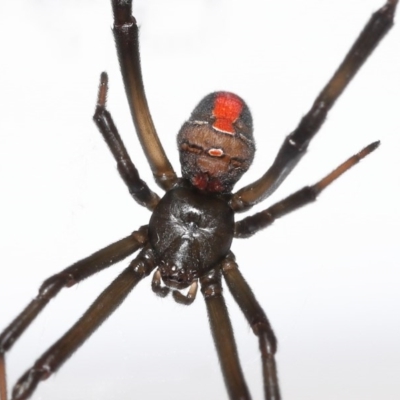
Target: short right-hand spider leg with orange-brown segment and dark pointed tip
column 252, row 224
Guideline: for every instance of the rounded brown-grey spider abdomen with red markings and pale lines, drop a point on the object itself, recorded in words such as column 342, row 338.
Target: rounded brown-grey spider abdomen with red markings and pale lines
column 216, row 144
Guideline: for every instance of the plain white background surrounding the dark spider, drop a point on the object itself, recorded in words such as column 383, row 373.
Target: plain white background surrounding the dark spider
column 328, row 276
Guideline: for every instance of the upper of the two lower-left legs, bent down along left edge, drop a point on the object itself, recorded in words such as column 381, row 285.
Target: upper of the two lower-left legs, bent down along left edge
column 66, row 278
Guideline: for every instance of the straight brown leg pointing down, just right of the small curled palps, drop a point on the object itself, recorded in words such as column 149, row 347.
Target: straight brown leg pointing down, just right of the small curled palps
column 222, row 333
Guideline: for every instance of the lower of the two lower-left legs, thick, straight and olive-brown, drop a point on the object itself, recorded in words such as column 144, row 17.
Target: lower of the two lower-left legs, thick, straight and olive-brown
column 97, row 313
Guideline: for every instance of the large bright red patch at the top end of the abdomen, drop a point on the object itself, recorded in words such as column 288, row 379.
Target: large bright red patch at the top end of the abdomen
column 227, row 109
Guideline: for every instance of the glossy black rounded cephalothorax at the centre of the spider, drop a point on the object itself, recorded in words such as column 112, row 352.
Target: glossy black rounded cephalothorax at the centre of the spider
column 183, row 231
